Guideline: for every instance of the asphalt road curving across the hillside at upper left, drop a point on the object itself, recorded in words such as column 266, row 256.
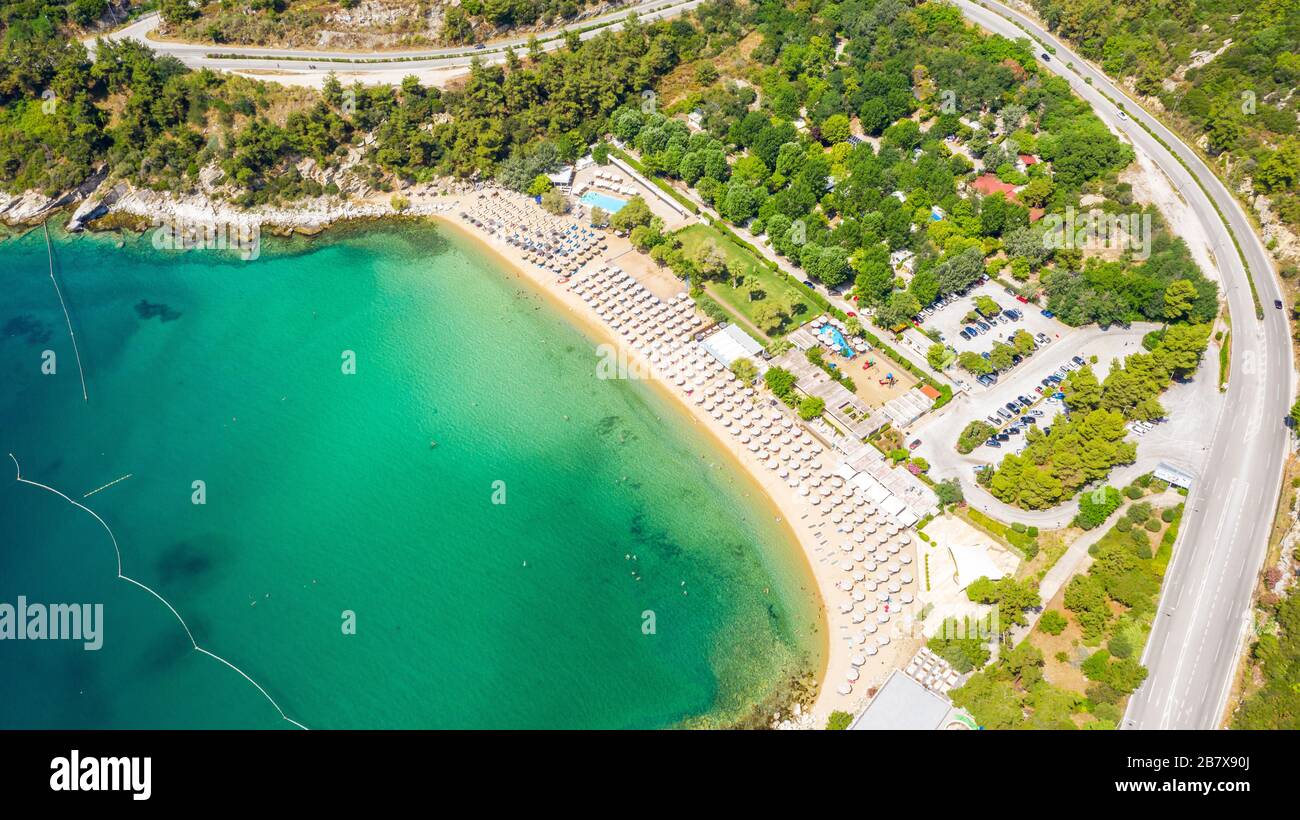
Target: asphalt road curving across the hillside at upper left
column 382, row 64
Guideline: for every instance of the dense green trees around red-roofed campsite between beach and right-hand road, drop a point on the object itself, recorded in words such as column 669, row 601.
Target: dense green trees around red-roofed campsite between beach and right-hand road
column 860, row 131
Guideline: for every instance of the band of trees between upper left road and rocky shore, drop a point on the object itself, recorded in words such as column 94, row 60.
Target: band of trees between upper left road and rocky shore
column 150, row 120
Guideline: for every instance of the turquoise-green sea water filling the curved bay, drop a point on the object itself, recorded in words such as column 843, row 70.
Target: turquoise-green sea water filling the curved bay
column 324, row 497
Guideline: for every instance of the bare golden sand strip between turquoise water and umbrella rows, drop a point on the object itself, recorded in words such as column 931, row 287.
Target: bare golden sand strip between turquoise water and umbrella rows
column 807, row 523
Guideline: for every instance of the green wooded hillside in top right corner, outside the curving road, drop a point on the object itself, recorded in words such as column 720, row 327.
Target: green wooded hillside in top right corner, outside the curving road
column 1241, row 98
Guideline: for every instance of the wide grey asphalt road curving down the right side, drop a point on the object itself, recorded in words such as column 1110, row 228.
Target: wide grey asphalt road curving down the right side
column 1206, row 605
